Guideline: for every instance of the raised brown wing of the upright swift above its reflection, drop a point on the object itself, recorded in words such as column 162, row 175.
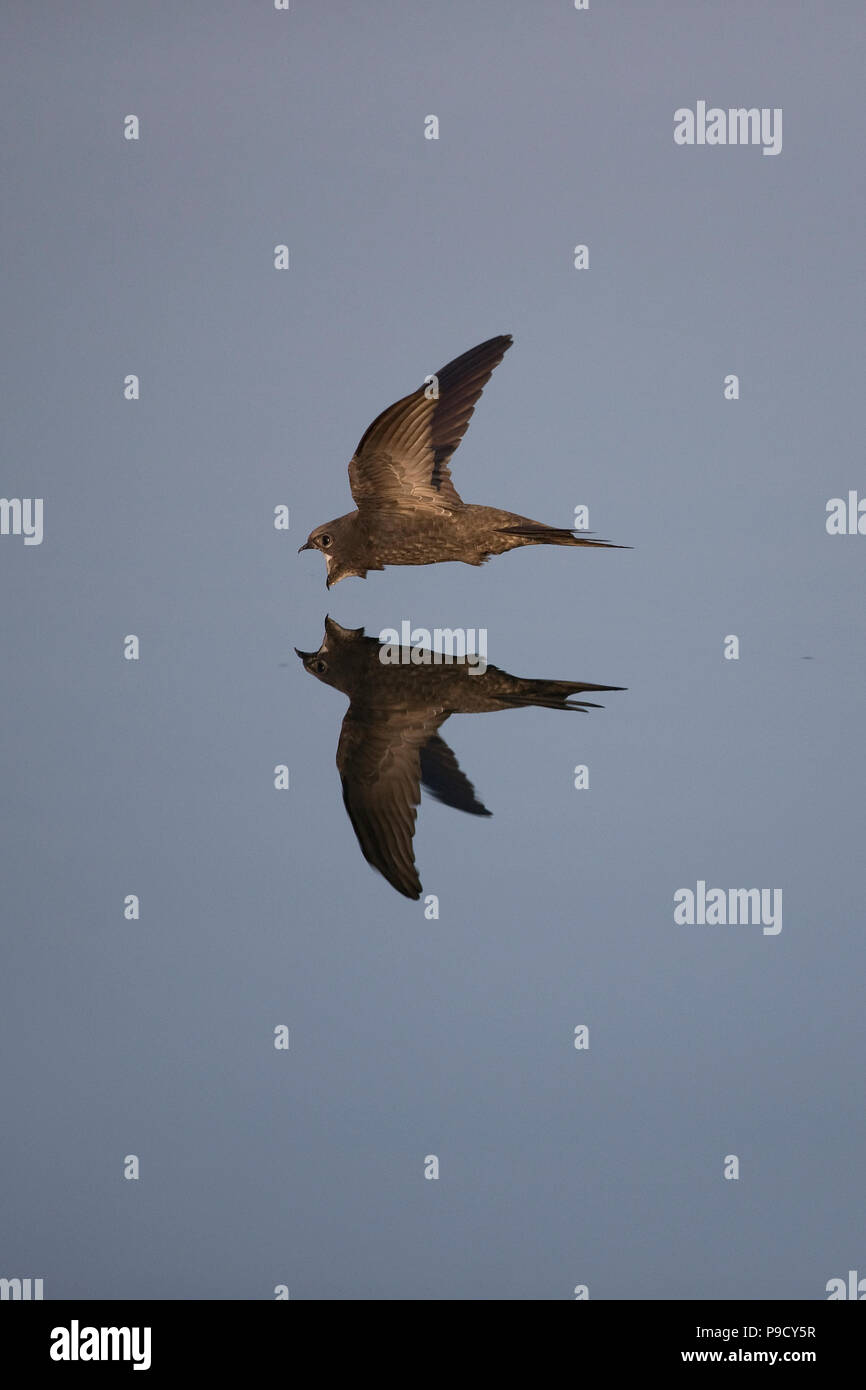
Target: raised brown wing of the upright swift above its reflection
column 404, row 458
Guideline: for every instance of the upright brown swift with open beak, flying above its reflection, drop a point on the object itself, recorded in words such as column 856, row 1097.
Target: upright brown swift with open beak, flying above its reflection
column 409, row 511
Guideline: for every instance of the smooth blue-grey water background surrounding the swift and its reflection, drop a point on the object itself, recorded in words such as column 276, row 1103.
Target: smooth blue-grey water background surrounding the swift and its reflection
column 412, row 1038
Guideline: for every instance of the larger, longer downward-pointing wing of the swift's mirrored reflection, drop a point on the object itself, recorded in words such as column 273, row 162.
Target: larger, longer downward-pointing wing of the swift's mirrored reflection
column 379, row 761
